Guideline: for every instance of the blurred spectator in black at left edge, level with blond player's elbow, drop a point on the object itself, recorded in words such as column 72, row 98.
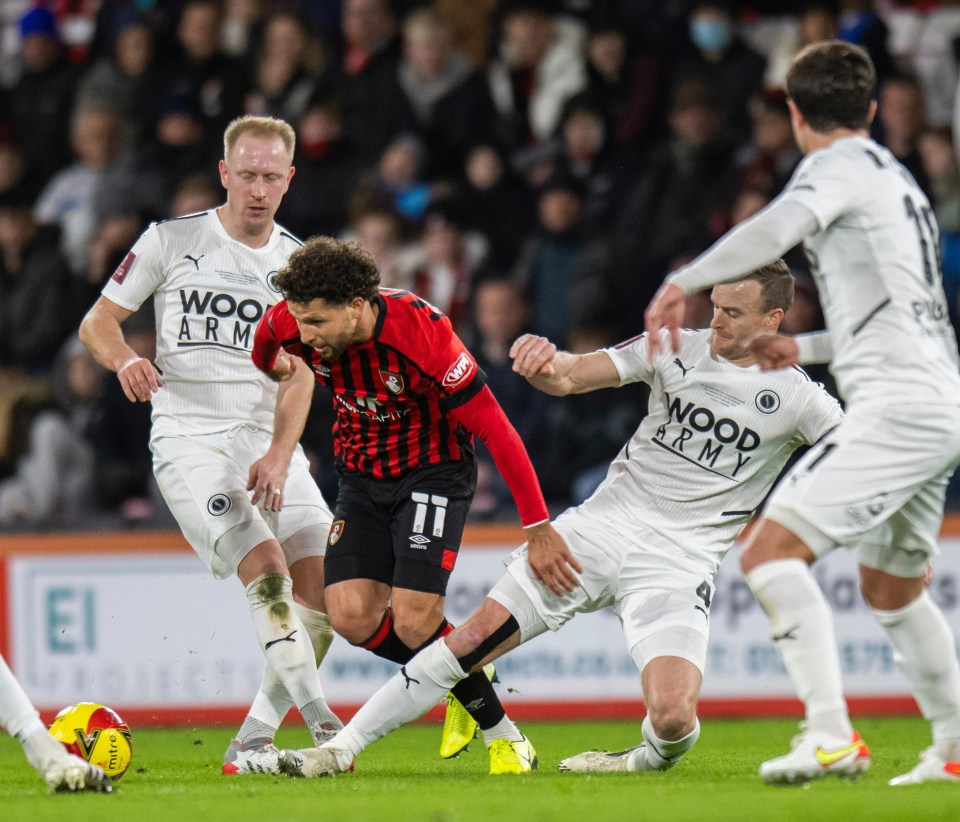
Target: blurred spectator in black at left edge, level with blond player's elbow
column 38, row 309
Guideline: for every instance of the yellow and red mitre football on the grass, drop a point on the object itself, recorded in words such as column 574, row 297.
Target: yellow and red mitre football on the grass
column 95, row 733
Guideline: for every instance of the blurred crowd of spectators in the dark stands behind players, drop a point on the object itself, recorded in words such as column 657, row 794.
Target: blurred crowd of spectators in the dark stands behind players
column 525, row 165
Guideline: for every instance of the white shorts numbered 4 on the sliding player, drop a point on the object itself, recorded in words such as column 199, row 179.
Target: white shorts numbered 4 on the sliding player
column 664, row 609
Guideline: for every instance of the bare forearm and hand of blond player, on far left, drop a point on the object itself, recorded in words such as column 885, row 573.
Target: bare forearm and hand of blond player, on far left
column 101, row 333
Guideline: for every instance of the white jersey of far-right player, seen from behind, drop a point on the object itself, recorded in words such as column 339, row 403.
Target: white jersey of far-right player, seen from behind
column 875, row 261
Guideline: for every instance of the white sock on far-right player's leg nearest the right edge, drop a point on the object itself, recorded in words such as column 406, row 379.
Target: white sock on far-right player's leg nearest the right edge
column 924, row 649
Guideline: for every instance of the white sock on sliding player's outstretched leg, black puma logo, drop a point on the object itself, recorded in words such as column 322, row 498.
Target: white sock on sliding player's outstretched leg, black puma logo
column 410, row 693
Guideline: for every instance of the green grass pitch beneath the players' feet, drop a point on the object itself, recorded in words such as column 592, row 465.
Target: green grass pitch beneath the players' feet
column 176, row 776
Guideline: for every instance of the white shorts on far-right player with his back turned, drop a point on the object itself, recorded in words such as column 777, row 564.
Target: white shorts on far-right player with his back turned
column 876, row 482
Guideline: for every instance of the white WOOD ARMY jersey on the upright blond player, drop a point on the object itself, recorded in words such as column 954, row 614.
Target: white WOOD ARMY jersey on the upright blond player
column 209, row 292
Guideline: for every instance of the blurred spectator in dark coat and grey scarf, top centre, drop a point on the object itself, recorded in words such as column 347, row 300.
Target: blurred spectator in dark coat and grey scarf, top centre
column 446, row 102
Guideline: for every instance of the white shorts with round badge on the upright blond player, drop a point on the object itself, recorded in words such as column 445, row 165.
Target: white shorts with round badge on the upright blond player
column 203, row 479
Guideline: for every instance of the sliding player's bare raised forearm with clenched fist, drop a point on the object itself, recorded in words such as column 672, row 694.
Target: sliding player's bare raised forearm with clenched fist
column 559, row 373
